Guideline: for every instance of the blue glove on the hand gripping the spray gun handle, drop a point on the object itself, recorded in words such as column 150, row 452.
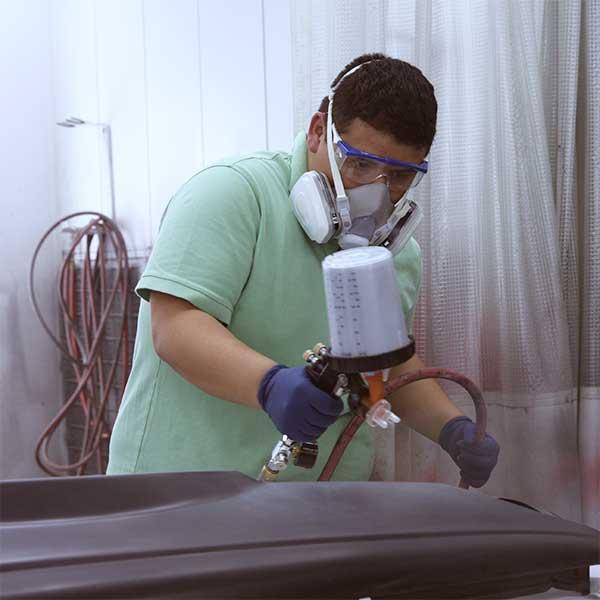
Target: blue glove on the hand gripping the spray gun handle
column 295, row 404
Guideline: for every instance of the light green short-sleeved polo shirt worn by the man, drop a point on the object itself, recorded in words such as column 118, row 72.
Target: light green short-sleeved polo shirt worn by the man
column 230, row 245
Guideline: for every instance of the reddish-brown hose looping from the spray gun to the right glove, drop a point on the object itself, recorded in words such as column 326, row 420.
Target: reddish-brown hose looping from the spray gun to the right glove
column 390, row 387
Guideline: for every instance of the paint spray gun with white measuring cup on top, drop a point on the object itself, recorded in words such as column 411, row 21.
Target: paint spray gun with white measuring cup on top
column 368, row 336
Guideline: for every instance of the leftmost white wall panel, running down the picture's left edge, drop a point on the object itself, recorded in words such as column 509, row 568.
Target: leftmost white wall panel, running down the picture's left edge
column 30, row 387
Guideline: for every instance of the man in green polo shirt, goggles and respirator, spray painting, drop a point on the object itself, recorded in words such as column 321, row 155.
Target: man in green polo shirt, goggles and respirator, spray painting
column 233, row 294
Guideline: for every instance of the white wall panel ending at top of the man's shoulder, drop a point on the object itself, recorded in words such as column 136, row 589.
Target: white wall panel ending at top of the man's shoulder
column 232, row 70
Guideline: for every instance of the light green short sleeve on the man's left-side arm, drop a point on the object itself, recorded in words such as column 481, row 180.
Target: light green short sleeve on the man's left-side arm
column 205, row 245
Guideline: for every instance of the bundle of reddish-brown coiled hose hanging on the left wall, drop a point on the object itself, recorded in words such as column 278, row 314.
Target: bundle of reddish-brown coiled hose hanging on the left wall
column 101, row 295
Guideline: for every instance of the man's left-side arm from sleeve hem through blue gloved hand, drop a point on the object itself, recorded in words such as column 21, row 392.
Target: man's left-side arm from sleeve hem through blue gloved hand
column 208, row 355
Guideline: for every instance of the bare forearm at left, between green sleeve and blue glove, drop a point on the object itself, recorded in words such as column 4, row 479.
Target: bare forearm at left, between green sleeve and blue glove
column 205, row 352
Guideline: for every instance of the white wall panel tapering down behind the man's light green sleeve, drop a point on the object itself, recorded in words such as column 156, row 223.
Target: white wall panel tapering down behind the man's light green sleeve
column 174, row 99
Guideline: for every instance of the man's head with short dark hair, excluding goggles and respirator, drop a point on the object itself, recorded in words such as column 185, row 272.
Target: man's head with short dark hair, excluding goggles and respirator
column 386, row 108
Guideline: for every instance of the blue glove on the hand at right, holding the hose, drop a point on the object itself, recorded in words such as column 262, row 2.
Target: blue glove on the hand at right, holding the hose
column 475, row 460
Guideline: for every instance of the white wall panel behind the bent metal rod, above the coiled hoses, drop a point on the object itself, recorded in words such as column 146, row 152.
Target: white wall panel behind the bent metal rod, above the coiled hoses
column 74, row 70
